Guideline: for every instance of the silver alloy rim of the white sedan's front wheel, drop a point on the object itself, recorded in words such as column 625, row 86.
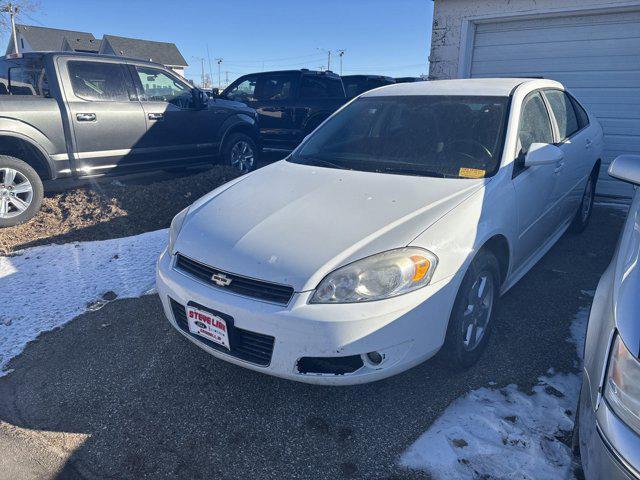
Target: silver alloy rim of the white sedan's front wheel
column 477, row 314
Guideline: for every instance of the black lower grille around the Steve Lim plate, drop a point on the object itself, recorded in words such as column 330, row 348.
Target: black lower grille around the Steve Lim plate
column 245, row 345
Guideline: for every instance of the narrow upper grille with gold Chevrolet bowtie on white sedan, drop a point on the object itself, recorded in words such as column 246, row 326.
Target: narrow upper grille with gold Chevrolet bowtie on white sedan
column 249, row 287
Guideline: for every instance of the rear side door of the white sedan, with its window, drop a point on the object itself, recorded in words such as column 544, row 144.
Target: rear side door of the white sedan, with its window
column 575, row 144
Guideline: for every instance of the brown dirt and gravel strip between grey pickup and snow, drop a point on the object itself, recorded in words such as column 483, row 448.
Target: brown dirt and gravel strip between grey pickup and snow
column 110, row 208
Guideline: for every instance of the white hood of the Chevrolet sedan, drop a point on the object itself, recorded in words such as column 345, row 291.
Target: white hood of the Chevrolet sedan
column 292, row 224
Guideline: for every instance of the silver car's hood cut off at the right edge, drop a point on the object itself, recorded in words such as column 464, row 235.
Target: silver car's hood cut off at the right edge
column 627, row 281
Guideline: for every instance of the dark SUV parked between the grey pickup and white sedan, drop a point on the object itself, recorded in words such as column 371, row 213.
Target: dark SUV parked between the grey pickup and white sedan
column 290, row 103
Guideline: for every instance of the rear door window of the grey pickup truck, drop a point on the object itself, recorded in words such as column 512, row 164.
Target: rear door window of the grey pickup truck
column 98, row 81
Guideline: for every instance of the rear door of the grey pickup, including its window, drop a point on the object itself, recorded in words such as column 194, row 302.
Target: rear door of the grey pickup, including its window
column 107, row 119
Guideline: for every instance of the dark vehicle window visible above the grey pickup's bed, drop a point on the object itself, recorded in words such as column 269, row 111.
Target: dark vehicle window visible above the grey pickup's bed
column 24, row 76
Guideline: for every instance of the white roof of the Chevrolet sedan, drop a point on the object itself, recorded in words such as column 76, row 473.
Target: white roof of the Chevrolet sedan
column 495, row 87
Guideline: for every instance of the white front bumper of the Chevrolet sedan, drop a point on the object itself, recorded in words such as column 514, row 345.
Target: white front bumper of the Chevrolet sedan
column 406, row 330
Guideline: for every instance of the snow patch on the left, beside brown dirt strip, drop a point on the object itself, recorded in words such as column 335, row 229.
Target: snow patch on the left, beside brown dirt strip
column 42, row 288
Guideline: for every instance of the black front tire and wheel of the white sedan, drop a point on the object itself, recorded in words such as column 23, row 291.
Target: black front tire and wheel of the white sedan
column 462, row 347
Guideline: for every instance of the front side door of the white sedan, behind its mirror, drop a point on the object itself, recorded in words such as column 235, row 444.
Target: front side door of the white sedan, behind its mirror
column 534, row 186
